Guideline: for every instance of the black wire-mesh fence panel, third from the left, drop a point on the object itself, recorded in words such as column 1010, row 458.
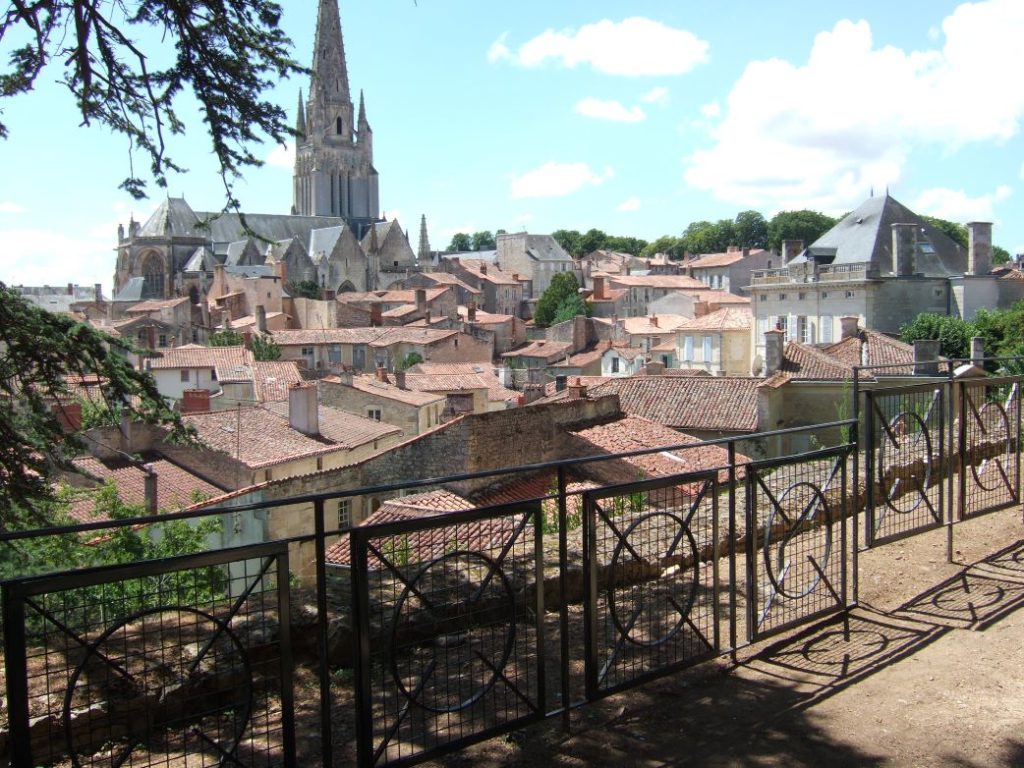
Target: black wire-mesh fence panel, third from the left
column 652, row 577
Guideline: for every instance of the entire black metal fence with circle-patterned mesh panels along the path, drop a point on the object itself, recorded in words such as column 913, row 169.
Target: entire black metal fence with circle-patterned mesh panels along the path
column 440, row 631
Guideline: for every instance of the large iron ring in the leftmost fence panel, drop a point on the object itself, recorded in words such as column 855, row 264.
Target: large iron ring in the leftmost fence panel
column 154, row 688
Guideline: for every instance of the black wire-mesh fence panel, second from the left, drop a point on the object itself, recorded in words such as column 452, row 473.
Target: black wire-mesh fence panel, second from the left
column 449, row 614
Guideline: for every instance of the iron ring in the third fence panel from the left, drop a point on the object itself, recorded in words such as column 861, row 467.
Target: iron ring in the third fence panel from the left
column 666, row 612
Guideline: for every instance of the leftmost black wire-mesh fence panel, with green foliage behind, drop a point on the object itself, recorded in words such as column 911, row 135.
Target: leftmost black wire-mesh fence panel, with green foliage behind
column 159, row 663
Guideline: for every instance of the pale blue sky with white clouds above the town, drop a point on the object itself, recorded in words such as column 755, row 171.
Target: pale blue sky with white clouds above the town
column 633, row 118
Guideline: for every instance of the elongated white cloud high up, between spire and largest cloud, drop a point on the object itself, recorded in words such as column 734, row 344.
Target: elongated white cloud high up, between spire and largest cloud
column 635, row 47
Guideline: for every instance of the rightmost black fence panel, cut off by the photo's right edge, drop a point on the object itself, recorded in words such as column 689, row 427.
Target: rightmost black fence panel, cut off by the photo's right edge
column 989, row 438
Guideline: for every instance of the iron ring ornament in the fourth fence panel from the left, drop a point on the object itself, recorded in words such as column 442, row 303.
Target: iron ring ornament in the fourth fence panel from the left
column 781, row 570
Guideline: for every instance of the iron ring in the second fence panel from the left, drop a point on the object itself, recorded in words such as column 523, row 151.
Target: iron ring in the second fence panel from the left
column 453, row 632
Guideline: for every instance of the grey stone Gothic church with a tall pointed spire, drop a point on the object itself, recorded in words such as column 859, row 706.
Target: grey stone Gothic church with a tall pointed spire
column 334, row 234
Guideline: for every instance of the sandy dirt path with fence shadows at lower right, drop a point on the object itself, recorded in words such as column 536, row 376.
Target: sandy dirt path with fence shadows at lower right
column 933, row 675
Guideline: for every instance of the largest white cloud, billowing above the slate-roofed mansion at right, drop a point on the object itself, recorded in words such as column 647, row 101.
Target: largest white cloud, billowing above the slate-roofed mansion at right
column 820, row 135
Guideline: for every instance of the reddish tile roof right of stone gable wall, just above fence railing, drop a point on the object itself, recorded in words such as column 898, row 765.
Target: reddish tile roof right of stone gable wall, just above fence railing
column 636, row 434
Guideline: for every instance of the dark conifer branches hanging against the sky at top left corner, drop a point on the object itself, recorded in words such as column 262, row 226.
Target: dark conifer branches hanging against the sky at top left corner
column 226, row 54
